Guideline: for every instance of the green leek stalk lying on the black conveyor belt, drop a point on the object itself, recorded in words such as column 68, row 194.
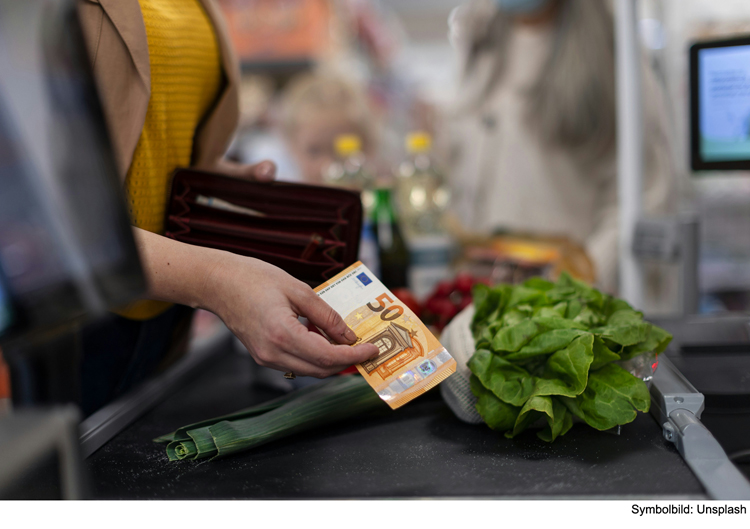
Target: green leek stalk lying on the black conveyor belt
column 333, row 400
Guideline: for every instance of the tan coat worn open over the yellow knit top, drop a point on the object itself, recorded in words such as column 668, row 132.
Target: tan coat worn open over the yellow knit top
column 115, row 36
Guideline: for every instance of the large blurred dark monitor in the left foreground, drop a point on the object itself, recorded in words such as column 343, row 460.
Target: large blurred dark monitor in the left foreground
column 66, row 246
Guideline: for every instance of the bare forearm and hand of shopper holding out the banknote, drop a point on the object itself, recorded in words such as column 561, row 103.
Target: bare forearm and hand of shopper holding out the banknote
column 260, row 304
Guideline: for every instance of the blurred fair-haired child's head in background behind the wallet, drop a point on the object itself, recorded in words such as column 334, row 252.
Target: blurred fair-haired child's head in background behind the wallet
column 315, row 109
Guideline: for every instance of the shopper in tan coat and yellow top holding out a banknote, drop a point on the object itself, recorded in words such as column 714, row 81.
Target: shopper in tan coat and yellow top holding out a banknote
column 168, row 82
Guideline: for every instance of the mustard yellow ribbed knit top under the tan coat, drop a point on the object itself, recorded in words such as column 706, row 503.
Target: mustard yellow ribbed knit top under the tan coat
column 186, row 77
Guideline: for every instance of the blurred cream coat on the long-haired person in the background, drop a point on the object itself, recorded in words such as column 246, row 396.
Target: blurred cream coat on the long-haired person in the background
column 505, row 177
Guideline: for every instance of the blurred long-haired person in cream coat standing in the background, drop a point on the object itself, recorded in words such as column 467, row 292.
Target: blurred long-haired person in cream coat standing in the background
column 532, row 135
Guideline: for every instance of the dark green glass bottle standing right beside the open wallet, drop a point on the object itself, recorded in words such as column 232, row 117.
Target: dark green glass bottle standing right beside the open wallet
column 392, row 251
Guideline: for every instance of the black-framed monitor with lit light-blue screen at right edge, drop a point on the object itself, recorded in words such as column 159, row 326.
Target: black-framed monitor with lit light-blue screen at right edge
column 720, row 104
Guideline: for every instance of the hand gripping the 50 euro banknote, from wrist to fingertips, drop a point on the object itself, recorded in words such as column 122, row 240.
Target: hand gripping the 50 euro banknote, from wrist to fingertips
column 260, row 304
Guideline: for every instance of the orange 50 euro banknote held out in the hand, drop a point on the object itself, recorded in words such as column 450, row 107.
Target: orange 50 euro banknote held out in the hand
column 411, row 359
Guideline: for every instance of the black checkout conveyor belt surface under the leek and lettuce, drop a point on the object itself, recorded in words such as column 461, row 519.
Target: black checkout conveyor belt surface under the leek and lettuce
column 421, row 450
